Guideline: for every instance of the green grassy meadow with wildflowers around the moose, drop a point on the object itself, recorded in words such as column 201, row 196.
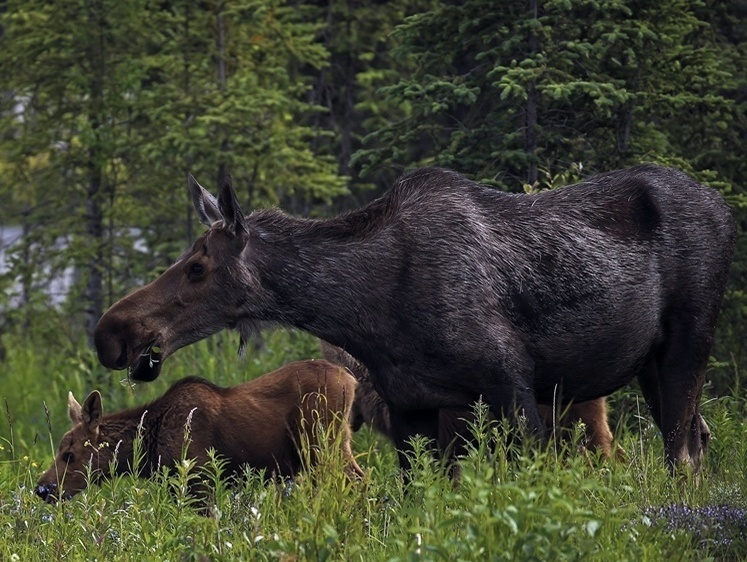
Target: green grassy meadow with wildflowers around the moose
column 513, row 502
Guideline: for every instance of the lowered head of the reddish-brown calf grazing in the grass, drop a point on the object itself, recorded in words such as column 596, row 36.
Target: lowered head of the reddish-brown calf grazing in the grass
column 81, row 454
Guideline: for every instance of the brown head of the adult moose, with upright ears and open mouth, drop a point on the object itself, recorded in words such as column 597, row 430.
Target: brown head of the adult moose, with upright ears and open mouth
column 202, row 293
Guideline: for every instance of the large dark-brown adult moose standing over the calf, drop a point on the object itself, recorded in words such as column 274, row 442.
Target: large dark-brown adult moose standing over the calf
column 448, row 291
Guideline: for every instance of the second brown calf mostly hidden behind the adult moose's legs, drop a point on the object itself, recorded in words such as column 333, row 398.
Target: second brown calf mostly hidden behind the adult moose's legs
column 370, row 409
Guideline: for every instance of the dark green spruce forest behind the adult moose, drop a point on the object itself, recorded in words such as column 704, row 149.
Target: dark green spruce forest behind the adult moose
column 106, row 105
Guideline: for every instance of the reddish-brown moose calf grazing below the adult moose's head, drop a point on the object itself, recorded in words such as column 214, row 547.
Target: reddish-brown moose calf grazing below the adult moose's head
column 261, row 423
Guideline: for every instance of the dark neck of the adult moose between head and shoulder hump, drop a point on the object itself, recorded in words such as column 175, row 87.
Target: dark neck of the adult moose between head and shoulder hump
column 324, row 276
